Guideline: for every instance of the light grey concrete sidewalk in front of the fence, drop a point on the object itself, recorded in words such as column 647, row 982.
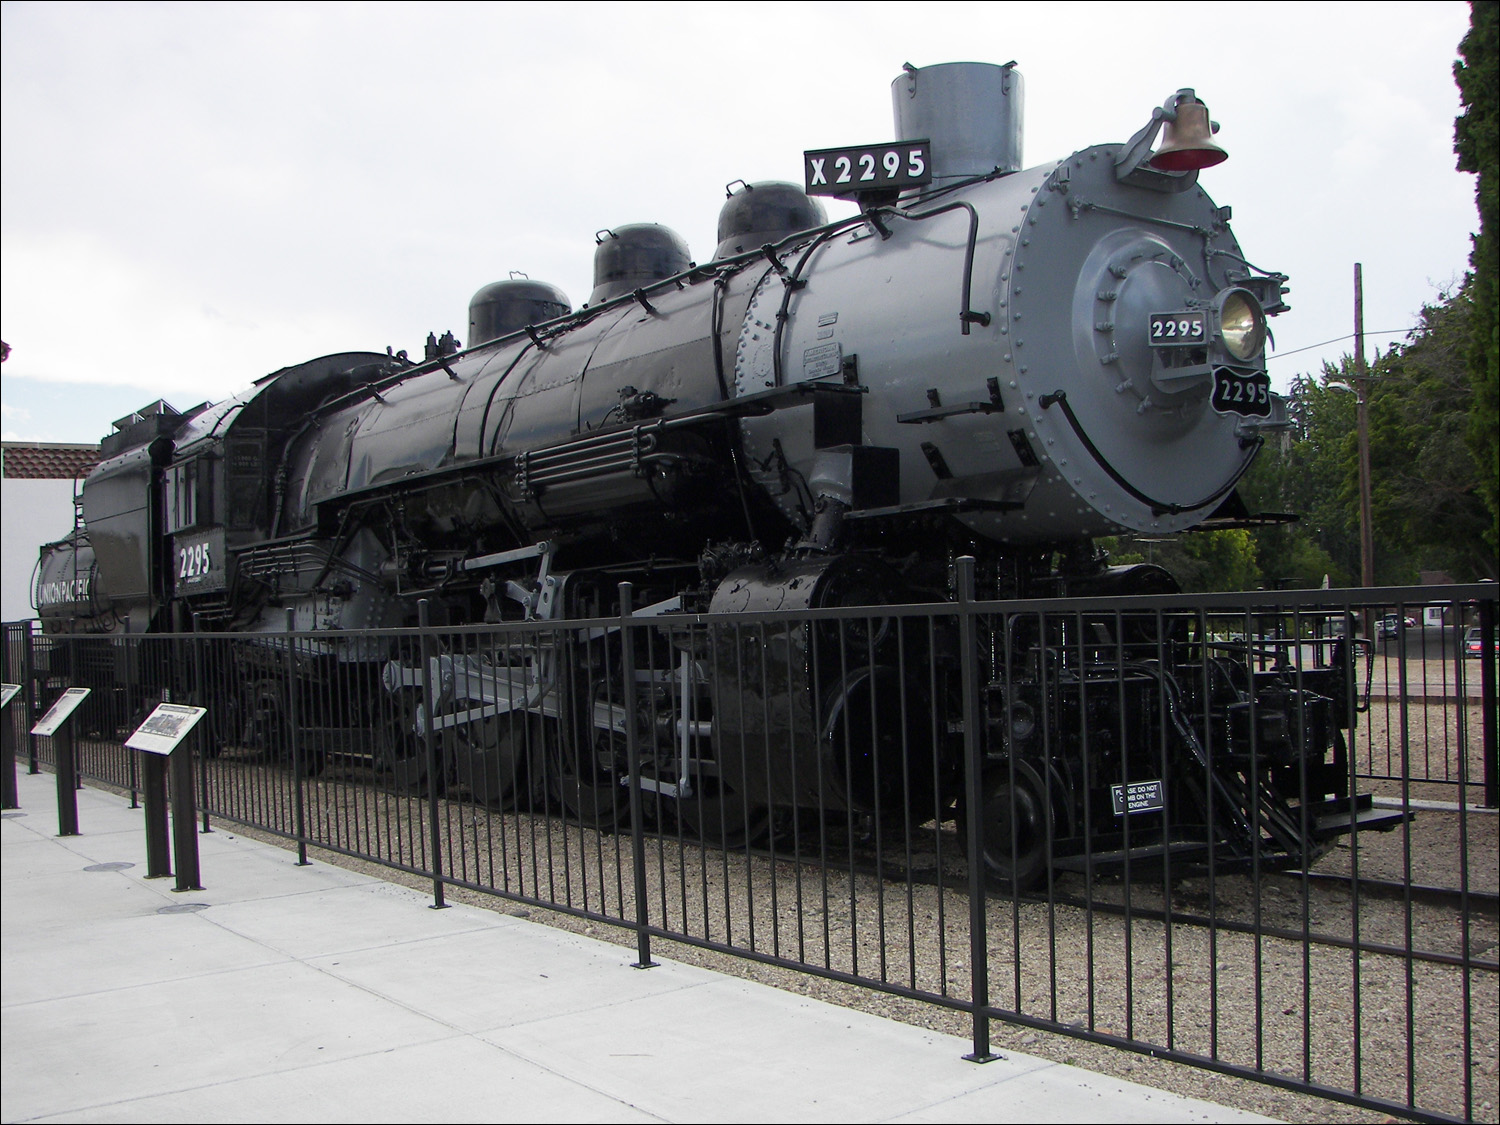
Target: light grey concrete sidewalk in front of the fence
column 316, row 994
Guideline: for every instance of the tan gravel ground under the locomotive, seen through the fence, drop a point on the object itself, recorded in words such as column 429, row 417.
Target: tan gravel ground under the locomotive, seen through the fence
column 1292, row 1006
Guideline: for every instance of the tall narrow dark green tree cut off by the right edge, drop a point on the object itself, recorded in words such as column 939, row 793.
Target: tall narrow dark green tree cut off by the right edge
column 1477, row 140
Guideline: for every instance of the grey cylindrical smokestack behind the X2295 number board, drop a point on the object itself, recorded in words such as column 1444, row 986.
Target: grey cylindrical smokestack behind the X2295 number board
column 970, row 112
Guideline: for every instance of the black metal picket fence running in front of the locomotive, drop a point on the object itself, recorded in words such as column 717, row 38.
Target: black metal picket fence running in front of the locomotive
column 1253, row 833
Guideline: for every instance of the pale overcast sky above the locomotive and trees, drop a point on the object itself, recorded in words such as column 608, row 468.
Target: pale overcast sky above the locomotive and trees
column 199, row 194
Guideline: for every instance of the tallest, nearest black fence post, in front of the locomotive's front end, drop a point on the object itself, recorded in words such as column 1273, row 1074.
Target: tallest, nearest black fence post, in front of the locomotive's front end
column 974, row 802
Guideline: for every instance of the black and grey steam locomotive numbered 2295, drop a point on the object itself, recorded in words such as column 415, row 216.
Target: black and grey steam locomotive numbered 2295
column 986, row 361
